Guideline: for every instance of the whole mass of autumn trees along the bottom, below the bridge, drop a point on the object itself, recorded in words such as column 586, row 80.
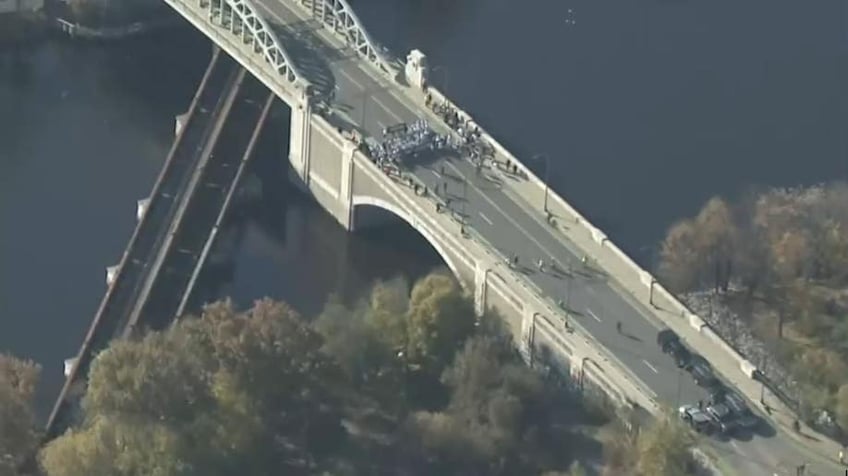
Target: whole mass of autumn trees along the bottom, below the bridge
column 406, row 381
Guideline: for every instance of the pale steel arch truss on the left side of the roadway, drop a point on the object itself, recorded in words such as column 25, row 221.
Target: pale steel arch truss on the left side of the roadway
column 242, row 19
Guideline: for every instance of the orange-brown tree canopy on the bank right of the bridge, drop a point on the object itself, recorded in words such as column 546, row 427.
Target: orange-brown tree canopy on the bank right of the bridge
column 777, row 258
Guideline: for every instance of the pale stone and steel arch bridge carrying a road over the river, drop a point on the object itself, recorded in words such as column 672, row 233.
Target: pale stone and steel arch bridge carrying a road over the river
column 343, row 88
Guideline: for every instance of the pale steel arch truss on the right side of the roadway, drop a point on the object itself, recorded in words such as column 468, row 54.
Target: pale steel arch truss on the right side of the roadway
column 341, row 19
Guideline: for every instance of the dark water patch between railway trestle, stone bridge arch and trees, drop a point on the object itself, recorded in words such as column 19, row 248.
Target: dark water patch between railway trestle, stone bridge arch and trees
column 280, row 243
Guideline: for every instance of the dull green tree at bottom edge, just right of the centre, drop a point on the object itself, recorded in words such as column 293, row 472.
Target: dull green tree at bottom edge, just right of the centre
column 492, row 422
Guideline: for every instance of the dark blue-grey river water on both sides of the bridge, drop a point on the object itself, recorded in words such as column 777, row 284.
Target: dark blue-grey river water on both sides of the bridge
column 646, row 108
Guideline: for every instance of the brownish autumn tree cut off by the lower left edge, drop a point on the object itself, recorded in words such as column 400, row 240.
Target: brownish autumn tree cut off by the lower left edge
column 18, row 436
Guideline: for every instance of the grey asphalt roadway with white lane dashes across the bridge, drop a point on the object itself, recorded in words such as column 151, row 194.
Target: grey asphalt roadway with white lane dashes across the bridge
column 513, row 226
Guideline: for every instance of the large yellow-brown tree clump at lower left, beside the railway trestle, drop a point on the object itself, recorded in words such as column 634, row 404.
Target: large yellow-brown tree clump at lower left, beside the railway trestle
column 228, row 393
